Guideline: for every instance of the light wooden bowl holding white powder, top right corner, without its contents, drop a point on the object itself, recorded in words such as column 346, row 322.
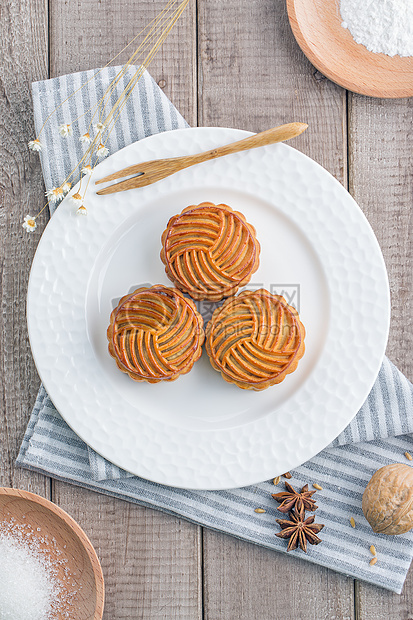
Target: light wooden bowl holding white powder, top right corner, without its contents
column 316, row 25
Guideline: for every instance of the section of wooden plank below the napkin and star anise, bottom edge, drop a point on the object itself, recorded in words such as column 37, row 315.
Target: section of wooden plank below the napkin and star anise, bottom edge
column 245, row 581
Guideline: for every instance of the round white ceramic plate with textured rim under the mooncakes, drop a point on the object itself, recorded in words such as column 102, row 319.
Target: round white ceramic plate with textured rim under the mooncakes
column 200, row 432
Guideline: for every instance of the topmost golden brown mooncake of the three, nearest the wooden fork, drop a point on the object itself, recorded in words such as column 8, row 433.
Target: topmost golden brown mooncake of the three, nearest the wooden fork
column 209, row 251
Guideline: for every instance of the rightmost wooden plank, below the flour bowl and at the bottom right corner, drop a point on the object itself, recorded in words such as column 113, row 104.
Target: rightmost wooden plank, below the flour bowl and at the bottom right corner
column 381, row 180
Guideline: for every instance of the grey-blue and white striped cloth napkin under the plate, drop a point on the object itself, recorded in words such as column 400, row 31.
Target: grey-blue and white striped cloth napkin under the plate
column 378, row 435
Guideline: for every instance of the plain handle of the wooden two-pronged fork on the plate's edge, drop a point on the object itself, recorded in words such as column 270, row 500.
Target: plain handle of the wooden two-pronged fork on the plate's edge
column 270, row 136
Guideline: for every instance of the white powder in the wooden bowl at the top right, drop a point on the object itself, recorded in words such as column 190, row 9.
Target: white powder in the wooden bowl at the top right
column 382, row 26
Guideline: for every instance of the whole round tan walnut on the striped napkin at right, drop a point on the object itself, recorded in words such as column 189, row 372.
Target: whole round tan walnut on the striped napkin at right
column 388, row 499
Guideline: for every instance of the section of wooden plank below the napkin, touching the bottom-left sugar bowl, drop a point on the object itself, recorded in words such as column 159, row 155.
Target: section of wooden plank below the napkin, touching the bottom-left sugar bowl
column 151, row 561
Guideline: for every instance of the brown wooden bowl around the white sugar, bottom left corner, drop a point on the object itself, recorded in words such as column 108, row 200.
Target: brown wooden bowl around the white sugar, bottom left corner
column 85, row 587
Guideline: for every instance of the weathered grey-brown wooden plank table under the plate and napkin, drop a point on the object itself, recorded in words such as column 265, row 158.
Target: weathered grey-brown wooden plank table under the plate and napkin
column 231, row 63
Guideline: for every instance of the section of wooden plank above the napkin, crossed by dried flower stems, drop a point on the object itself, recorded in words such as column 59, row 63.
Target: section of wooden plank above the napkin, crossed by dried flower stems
column 96, row 32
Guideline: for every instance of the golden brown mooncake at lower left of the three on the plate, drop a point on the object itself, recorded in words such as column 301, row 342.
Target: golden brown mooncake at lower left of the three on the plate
column 155, row 334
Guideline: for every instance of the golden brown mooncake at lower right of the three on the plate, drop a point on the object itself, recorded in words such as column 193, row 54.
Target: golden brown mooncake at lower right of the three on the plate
column 255, row 339
